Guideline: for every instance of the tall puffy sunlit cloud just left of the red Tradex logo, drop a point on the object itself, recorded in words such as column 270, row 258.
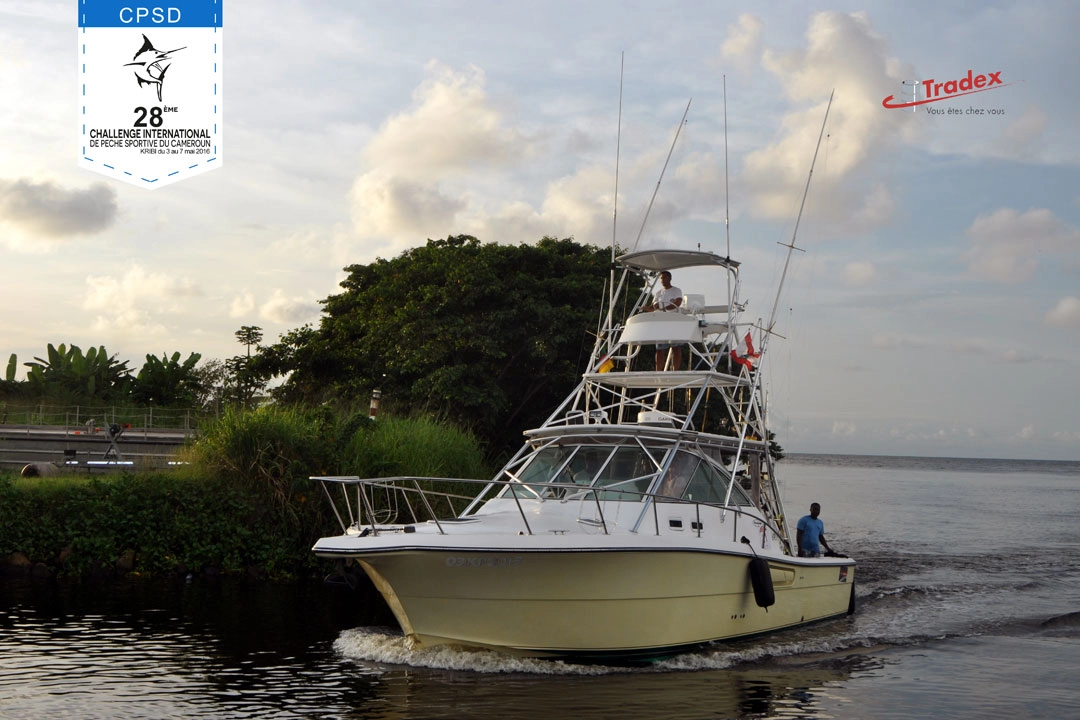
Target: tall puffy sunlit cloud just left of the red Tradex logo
column 843, row 53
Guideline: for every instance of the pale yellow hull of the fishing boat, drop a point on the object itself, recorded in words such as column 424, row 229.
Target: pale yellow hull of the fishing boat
column 599, row 604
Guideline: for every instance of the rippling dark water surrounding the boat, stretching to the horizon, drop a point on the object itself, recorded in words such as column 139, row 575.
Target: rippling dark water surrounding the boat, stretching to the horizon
column 969, row 607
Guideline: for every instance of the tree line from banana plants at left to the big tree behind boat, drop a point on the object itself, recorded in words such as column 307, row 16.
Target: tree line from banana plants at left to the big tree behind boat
column 489, row 337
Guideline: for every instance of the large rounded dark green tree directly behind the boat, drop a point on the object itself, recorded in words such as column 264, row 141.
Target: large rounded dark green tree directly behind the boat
column 489, row 336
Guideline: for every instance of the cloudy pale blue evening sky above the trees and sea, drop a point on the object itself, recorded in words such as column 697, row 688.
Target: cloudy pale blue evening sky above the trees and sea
column 934, row 310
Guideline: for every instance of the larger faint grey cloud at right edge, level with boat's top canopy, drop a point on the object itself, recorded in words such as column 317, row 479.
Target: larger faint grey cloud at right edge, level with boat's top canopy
column 1006, row 247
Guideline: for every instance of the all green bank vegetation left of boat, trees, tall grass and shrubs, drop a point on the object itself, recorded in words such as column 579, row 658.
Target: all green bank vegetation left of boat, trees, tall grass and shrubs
column 467, row 343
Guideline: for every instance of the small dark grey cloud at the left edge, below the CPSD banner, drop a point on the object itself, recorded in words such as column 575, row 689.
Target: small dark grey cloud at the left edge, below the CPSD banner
column 37, row 214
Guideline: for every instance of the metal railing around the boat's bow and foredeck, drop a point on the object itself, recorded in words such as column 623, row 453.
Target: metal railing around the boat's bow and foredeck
column 383, row 502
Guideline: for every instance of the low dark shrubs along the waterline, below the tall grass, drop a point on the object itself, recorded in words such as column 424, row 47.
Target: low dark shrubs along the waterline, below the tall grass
column 172, row 524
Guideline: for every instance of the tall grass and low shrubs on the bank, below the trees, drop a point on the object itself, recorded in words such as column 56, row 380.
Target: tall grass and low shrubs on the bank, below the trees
column 246, row 504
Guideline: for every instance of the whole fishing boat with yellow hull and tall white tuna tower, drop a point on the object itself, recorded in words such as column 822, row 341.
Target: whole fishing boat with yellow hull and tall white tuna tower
column 642, row 520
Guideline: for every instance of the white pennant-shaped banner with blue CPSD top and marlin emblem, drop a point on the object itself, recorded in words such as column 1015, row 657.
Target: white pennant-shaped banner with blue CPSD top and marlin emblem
column 151, row 90
